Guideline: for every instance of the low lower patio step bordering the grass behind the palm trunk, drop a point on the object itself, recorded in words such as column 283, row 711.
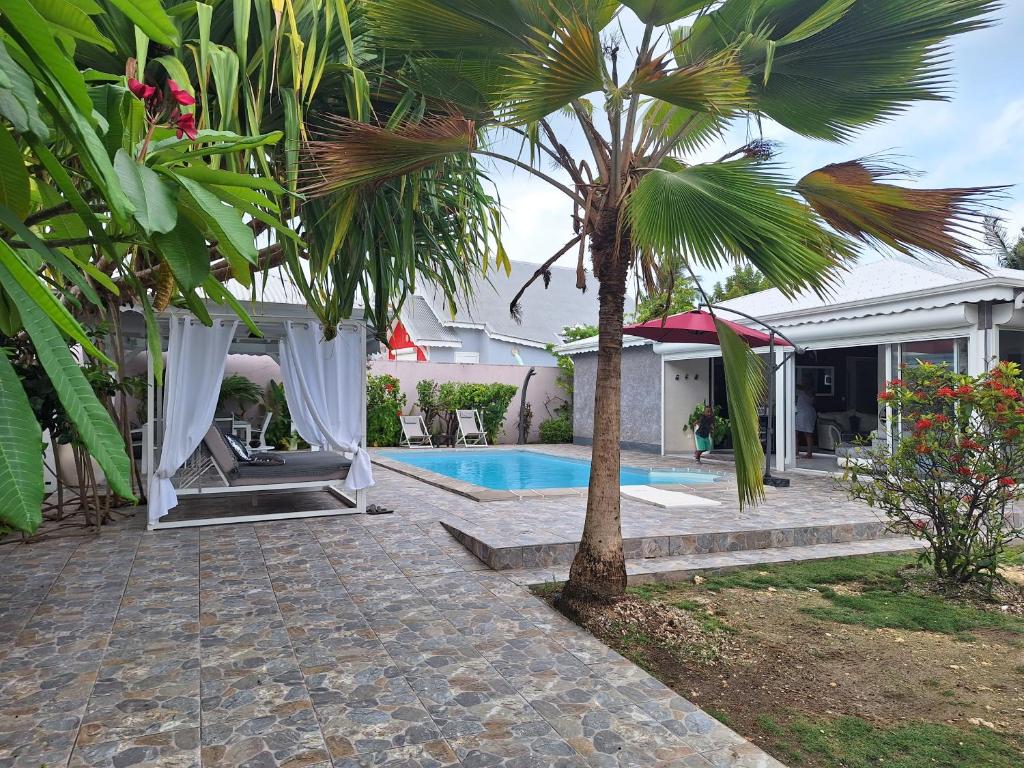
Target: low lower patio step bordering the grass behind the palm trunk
column 685, row 568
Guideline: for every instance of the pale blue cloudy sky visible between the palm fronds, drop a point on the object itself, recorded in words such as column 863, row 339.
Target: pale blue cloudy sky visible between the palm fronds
column 974, row 140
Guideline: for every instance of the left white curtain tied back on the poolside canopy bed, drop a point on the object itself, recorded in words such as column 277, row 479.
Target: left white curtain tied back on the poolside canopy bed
column 196, row 358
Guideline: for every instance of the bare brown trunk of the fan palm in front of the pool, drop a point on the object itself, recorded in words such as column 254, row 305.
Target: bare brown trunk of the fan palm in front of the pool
column 599, row 573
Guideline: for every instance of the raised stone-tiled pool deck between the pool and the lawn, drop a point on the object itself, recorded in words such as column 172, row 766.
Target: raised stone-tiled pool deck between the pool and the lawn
column 535, row 538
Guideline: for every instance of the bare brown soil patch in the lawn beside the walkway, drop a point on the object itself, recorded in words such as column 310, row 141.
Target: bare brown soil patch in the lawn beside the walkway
column 775, row 660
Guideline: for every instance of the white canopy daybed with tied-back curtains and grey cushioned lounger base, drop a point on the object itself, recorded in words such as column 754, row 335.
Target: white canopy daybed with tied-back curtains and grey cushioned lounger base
column 325, row 388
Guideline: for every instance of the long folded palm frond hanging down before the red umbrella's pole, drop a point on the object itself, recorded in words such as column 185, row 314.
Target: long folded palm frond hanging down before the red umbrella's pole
column 745, row 389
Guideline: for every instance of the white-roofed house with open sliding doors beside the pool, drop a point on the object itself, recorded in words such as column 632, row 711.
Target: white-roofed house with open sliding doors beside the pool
column 879, row 316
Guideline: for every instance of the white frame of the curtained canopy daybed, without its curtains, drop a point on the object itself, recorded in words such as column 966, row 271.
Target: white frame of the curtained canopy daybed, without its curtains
column 272, row 320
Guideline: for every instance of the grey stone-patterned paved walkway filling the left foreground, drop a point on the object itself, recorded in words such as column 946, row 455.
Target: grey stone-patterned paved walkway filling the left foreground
column 350, row 642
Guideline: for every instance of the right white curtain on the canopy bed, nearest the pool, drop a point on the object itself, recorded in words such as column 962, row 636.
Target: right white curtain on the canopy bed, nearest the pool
column 325, row 385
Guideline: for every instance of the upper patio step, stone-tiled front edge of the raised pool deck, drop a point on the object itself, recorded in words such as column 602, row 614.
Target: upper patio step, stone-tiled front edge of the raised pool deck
column 529, row 549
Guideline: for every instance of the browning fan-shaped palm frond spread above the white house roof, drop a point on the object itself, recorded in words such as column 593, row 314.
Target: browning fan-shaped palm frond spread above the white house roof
column 852, row 198
